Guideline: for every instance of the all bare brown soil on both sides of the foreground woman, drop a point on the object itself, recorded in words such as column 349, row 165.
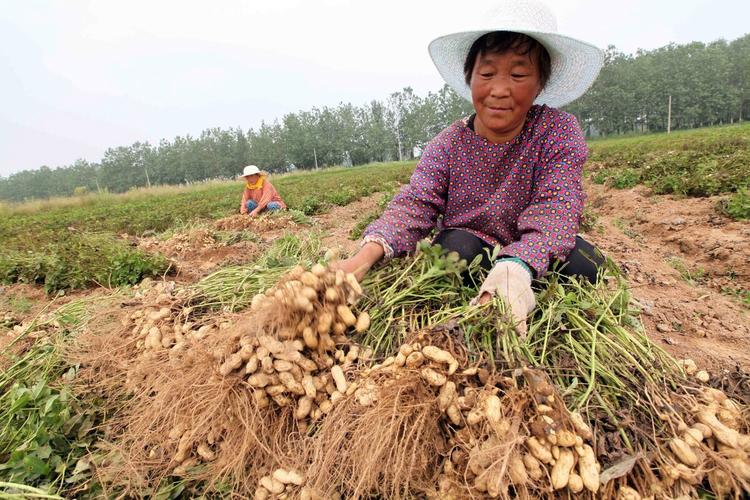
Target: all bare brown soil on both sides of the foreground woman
column 687, row 265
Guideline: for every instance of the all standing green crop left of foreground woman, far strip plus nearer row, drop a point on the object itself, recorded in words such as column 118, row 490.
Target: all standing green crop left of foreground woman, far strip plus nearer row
column 70, row 244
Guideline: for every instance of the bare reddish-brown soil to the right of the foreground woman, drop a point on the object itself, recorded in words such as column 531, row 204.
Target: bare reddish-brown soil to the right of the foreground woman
column 687, row 266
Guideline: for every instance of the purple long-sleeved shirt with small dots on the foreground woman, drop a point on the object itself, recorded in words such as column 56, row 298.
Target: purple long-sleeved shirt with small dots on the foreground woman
column 525, row 195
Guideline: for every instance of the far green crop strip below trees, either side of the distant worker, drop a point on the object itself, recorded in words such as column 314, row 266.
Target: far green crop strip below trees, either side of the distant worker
column 161, row 209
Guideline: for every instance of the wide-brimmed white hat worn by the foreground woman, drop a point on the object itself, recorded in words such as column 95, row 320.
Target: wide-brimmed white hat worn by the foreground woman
column 574, row 64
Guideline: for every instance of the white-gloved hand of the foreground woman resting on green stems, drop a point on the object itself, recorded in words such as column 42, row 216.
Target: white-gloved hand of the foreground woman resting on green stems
column 510, row 281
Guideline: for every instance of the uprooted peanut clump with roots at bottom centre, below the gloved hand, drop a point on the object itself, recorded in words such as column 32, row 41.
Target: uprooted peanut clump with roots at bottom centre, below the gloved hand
column 424, row 422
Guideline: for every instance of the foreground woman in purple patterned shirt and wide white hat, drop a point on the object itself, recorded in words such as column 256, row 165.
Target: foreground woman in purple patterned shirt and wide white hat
column 510, row 174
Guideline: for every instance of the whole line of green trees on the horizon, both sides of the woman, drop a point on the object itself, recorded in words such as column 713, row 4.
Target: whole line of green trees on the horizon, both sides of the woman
column 708, row 83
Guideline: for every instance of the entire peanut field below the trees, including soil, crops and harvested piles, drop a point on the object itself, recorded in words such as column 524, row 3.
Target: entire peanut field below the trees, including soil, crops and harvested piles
column 143, row 387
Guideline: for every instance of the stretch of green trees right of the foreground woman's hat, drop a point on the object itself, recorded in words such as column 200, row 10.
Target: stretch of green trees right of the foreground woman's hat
column 709, row 84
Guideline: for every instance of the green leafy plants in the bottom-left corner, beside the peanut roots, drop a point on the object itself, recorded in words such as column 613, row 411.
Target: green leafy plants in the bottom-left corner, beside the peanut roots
column 46, row 432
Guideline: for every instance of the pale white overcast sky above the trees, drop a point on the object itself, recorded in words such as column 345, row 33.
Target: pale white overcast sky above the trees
column 77, row 77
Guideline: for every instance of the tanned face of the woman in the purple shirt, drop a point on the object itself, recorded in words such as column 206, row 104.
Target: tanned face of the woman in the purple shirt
column 503, row 89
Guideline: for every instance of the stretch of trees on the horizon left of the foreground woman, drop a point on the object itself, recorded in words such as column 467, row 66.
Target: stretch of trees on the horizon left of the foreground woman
column 327, row 136
